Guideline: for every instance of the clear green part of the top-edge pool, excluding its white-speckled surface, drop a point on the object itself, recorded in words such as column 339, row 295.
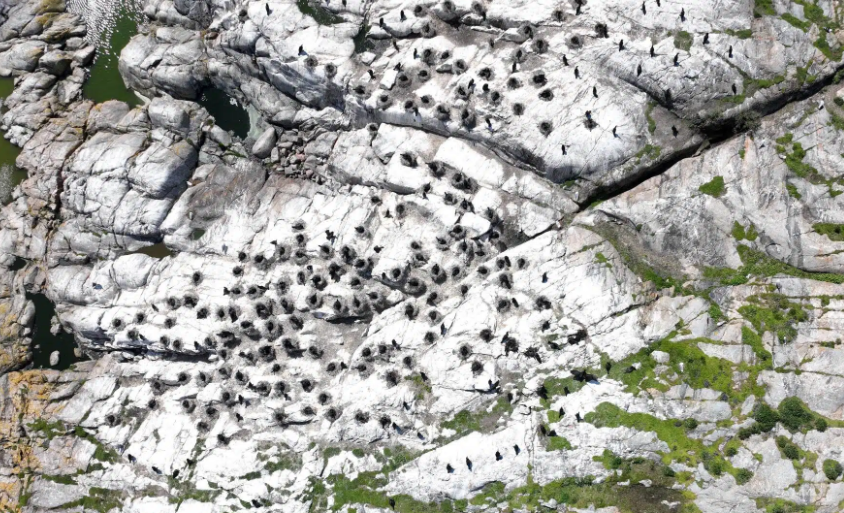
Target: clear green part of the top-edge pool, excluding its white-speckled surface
column 105, row 82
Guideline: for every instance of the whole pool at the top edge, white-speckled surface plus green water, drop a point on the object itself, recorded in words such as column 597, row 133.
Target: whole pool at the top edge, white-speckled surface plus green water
column 111, row 24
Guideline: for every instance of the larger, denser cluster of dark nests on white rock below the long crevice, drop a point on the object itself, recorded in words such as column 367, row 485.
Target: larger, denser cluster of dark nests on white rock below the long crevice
column 257, row 328
